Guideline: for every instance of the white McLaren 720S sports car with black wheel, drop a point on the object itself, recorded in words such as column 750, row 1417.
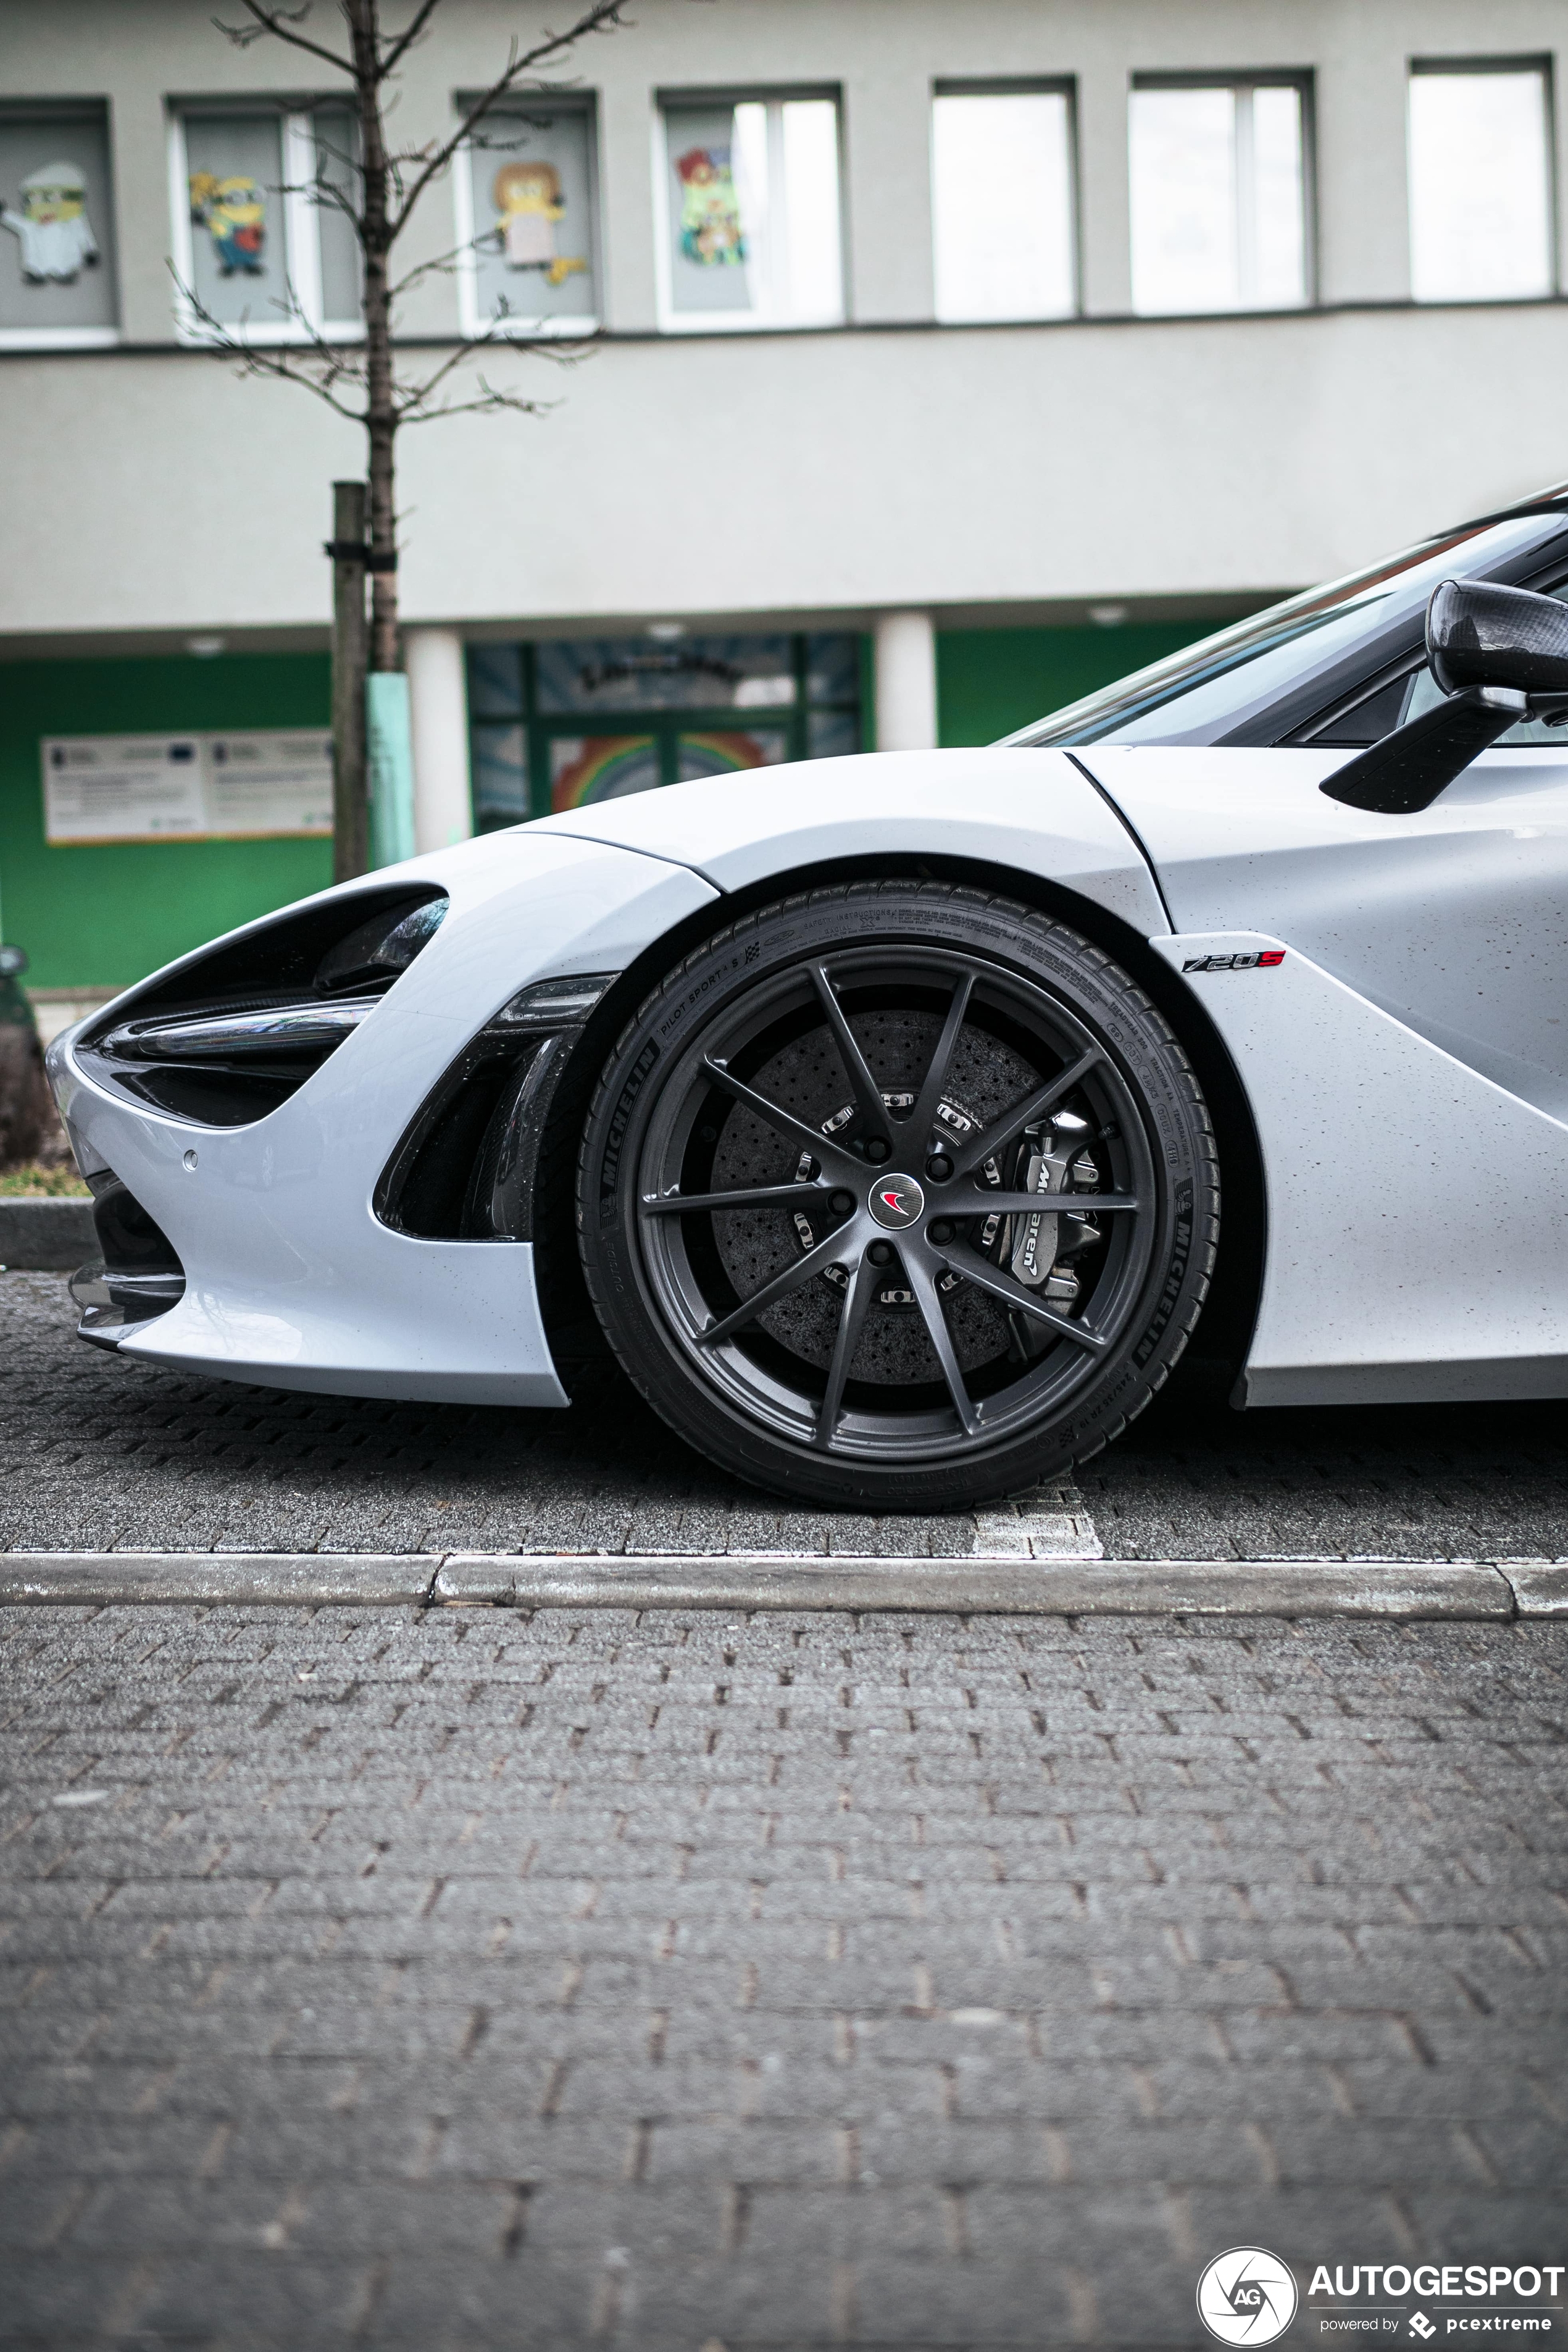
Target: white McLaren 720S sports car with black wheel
column 899, row 1121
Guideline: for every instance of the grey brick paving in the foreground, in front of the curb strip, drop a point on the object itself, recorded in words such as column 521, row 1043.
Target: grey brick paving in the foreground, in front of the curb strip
column 671, row 1984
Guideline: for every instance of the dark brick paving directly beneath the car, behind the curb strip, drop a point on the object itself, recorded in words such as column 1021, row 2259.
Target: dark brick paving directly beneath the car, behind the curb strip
column 102, row 1452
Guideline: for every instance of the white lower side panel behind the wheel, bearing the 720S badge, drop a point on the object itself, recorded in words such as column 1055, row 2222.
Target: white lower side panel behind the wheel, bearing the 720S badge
column 1407, row 1248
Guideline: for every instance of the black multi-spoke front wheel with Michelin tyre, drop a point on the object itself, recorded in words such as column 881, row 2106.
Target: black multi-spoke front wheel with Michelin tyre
column 899, row 1196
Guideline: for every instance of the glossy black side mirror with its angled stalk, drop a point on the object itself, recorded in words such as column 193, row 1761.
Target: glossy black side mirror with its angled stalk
column 1499, row 655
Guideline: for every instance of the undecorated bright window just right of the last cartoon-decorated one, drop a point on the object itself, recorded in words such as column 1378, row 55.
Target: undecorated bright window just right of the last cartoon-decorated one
column 1003, row 203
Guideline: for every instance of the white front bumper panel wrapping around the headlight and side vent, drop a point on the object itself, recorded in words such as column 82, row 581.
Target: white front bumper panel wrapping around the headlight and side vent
column 290, row 1278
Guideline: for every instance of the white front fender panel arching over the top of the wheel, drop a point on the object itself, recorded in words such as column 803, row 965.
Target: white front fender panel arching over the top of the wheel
column 1026, row 810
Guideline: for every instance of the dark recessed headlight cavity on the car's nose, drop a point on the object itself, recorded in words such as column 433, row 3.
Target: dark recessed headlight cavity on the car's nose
column 227, row 1041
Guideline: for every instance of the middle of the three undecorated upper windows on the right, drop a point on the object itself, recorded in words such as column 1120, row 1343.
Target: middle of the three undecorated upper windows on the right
column 1219, row 196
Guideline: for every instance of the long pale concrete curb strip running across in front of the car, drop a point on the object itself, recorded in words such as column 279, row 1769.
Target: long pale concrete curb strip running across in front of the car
column 1000, row 1584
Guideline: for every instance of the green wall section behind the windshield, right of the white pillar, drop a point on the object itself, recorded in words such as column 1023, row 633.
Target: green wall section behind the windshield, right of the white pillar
column 991, row 681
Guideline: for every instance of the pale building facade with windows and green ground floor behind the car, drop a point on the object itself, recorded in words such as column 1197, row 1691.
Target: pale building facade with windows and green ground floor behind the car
column 916, row 370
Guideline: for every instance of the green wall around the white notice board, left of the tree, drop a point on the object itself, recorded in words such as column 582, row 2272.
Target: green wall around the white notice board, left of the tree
column 107, row 916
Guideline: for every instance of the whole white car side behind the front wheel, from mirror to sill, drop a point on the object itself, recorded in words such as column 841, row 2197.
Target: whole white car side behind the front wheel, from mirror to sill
column 1407, row 1064
